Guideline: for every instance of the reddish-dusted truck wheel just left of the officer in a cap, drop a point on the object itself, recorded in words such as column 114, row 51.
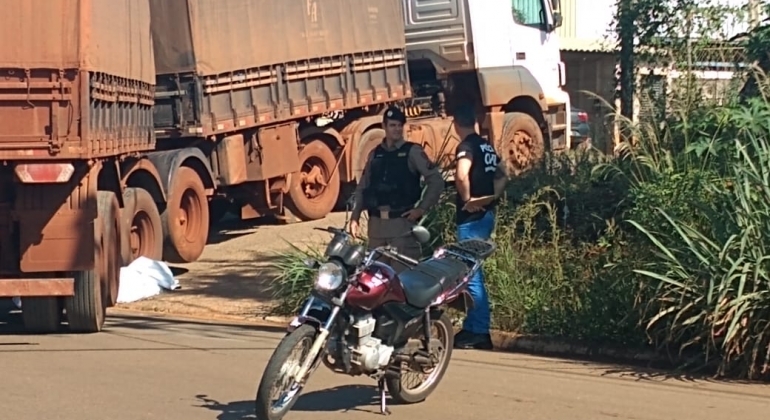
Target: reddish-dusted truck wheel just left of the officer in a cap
column 314, row 190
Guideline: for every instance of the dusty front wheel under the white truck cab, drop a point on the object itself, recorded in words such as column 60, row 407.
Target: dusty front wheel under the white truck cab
column 522, row 145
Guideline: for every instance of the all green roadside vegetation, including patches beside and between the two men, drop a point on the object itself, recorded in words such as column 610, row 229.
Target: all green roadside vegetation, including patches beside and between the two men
column 665, row 244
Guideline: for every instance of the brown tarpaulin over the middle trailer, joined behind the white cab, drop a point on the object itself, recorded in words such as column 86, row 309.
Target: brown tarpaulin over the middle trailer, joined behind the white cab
column 219, row 36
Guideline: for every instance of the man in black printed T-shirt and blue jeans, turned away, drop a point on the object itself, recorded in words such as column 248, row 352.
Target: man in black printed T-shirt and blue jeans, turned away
column 480, row 175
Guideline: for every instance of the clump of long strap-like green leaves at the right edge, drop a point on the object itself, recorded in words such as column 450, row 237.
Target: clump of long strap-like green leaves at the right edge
column 710, row 272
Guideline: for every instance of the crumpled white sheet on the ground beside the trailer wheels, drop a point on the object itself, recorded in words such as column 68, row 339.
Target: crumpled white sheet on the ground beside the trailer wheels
column 144, row 278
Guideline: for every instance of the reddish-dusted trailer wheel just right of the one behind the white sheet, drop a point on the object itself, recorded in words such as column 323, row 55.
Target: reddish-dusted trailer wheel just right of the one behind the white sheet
column 186, row 218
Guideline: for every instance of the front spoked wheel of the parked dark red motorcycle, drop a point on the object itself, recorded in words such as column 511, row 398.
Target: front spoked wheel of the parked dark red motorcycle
column 278, row 391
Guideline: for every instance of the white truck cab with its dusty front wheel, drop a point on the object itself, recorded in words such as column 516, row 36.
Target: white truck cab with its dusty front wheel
column 503, row 54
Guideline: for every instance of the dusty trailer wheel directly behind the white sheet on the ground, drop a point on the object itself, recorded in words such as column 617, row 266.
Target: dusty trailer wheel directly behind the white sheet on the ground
column 142, row 228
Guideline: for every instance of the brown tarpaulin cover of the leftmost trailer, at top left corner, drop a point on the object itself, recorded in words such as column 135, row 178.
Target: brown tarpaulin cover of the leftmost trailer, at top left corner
column 108, row 36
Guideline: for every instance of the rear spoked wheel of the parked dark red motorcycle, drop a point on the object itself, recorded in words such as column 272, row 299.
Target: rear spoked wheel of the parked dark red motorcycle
column 402, row 393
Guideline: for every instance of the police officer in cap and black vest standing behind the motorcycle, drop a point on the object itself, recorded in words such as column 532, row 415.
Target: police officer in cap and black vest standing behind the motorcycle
column 390, row 191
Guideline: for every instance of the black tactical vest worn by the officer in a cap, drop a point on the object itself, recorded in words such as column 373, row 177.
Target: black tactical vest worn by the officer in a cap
column 391, row 183
